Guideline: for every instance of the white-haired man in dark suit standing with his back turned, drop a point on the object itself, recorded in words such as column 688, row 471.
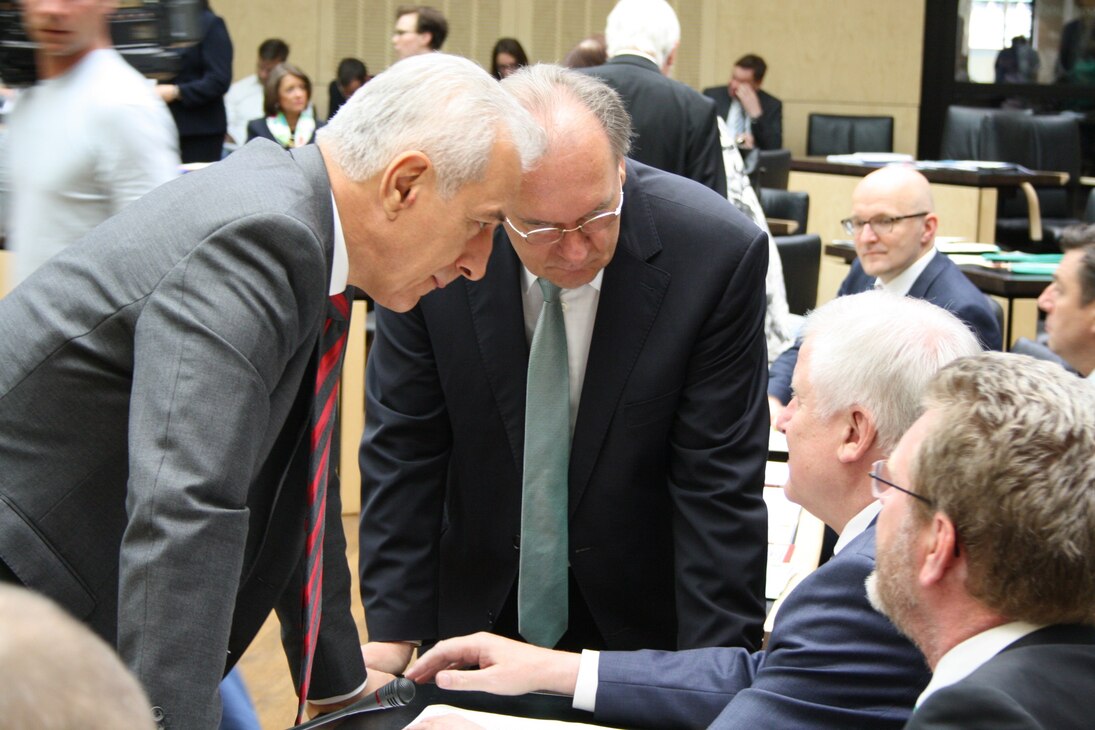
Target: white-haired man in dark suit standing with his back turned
column 676, row 129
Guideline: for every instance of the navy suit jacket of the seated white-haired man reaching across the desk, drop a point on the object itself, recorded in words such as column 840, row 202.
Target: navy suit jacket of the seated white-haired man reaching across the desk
column 833, row 662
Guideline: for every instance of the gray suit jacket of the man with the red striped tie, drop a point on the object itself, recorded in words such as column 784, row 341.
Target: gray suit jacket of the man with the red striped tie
column 155, row 402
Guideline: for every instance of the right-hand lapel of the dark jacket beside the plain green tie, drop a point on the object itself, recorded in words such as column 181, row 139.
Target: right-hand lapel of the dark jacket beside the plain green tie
column 632, row 293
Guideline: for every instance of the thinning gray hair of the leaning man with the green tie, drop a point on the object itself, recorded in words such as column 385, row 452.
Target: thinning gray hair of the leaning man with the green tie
column 544, row 88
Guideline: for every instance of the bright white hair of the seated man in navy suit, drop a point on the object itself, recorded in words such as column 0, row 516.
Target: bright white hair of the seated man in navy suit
column 879, row 352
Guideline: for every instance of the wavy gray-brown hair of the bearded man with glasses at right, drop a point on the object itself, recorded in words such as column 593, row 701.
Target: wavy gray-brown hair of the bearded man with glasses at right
column 1011, row 461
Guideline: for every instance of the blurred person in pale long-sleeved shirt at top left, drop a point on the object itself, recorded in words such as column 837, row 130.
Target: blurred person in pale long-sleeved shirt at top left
column 86, row 141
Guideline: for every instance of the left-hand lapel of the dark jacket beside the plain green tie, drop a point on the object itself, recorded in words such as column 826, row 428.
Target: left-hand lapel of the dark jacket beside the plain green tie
column 499, row 321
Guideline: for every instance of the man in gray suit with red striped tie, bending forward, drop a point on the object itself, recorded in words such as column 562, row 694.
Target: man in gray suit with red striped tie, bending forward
column 157, row 380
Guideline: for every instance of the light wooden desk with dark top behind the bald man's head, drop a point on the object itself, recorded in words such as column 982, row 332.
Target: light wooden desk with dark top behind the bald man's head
column 965, row 202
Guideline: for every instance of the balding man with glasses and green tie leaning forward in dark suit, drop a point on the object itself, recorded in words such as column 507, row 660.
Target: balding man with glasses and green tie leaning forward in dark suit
column 663, row 284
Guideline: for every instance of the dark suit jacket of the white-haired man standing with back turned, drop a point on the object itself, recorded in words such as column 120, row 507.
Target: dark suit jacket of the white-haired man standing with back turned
column 675, row 126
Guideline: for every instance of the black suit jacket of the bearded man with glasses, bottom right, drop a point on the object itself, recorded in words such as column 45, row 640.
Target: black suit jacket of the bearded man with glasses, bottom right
column 1045, row 681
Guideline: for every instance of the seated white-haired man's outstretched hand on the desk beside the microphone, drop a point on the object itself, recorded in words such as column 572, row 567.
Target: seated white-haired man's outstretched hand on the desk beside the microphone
column 505, row 667
